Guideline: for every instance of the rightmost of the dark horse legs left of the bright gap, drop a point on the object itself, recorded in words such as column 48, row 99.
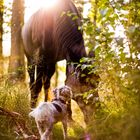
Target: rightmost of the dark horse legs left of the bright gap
column 48, row 72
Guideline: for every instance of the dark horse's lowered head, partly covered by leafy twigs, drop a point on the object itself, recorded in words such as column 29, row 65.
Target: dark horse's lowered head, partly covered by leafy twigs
column 83, row 81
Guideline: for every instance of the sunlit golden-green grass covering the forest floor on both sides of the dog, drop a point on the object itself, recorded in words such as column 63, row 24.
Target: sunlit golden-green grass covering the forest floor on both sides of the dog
column 110, row 122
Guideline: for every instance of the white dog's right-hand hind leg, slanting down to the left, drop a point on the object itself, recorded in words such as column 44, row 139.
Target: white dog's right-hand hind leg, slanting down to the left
column 47, row 132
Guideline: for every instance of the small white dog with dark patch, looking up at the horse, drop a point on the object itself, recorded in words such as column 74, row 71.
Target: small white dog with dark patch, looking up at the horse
column 49, row 113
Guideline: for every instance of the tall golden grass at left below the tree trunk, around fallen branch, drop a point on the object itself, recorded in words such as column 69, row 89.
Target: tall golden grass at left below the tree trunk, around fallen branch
column 14, row 97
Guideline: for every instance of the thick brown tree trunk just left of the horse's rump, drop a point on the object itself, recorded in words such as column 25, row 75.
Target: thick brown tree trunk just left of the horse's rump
column 16, row 63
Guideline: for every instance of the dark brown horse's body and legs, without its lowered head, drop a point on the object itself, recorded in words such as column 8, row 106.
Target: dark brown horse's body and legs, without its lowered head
column 51, row 35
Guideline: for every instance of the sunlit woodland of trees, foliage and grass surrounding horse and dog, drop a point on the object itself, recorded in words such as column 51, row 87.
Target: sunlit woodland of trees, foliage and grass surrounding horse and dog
column 112, row 30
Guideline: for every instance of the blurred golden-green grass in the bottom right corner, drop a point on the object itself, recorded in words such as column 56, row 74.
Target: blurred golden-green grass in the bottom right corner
column 117, row 121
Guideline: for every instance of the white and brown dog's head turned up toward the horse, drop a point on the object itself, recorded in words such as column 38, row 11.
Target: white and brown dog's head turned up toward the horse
column 64, row 93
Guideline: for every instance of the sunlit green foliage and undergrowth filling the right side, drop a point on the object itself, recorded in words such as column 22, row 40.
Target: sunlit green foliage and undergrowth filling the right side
column 117, row 62
